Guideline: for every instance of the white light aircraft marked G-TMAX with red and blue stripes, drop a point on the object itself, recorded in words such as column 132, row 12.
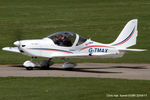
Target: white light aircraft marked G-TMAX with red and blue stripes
column 70, row 45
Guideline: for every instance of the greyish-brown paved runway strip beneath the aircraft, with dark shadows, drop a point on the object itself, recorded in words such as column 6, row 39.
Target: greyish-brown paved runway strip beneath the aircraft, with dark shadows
column 99, row 70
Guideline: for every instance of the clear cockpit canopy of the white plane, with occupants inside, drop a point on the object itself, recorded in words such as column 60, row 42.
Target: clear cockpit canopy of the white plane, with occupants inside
column 66, row 39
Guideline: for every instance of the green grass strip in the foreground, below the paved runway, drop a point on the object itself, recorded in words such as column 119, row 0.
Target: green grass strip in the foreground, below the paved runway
column 22, row 88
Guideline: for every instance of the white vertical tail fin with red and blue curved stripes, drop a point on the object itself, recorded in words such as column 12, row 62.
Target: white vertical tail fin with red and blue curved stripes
column 127, row 36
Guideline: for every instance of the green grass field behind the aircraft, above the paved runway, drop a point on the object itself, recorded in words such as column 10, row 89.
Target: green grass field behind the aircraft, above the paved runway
column 100, row 20
